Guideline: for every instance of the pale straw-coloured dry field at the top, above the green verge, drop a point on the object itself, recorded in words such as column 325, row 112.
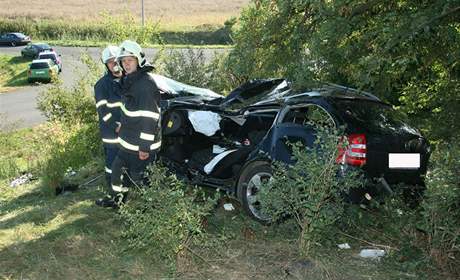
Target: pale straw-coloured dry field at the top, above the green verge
column 173, row 15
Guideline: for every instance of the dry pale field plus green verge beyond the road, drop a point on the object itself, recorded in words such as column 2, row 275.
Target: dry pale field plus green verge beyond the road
column 169, row 22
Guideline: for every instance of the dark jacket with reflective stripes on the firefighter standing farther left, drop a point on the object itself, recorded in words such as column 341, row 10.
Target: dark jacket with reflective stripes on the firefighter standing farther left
column 108, row 104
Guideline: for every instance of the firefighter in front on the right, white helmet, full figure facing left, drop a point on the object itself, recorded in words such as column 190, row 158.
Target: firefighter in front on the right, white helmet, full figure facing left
column 139, row 137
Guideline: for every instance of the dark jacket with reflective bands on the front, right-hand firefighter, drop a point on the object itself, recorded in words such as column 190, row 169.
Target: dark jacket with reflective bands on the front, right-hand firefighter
column 140, row 117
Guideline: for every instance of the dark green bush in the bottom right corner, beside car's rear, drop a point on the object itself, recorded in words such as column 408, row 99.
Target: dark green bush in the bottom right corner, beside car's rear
column 418, row 238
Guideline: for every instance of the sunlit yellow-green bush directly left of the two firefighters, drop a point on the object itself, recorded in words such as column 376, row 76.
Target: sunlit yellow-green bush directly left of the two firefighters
column 72, row 115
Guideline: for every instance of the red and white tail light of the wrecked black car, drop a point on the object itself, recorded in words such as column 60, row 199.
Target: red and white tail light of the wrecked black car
column 355, row 153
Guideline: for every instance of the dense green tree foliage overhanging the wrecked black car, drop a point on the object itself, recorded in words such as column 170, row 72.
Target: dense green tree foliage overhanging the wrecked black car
column 407, row 51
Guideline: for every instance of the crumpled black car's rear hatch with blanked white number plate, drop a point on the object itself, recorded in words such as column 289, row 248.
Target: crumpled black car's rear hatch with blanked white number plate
column 392, row 148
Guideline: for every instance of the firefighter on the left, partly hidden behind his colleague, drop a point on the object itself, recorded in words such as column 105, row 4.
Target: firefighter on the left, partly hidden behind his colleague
column 108, row 104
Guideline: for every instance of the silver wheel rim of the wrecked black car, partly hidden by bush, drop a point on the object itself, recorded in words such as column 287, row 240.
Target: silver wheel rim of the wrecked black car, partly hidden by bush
column 252, row 194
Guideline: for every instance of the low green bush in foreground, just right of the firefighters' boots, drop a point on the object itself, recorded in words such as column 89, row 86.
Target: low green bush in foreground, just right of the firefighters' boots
column 166, row 218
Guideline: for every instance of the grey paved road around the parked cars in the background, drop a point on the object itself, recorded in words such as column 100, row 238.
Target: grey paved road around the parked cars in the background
column 18, row 108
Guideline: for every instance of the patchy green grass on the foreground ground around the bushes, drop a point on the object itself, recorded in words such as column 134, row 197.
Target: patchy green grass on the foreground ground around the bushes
column 43, row 236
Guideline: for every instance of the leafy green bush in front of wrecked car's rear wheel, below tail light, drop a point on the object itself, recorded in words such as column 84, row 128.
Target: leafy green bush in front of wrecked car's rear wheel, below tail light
column 311, row 191
